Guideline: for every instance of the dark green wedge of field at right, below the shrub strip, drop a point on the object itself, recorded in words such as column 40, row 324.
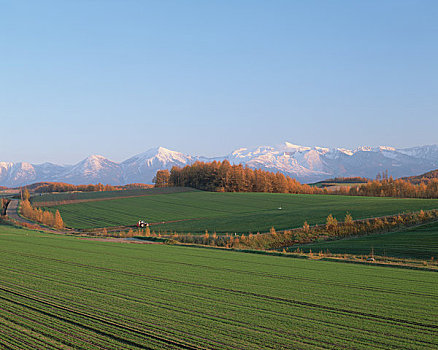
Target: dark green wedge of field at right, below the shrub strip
column 420, row 243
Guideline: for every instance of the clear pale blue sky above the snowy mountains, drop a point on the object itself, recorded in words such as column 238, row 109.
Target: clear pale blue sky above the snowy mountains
column 117, row 77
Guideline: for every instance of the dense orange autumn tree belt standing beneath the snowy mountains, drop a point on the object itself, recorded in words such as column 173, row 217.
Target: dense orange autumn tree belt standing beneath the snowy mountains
column 224, row 177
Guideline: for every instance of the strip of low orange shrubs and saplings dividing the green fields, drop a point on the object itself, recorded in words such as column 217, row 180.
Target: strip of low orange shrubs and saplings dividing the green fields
column 307, row 234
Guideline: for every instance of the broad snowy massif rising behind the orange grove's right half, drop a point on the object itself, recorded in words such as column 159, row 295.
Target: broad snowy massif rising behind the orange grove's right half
column 309, row 164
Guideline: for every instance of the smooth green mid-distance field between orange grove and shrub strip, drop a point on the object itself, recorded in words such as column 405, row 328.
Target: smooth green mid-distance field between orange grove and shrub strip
column 231, row 212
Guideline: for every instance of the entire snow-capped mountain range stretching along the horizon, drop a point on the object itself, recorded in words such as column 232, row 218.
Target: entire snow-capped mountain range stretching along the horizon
column 306, row 164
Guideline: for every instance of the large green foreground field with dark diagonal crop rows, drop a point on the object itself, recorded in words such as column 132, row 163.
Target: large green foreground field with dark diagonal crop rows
column 66, row 291
